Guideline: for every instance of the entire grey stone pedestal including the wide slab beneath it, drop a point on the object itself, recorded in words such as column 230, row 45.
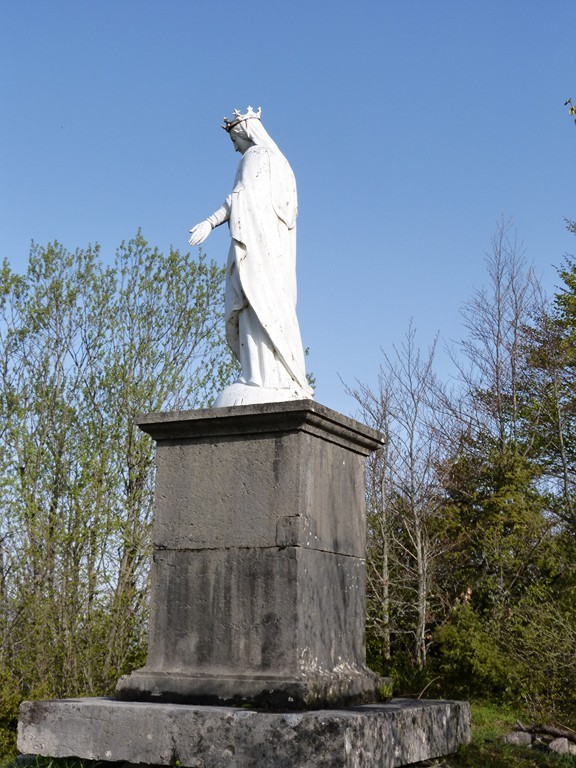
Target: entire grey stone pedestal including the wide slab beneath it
column 257, row 599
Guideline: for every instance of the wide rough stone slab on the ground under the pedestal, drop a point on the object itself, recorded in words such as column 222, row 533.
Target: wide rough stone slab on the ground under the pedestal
column 399, row 733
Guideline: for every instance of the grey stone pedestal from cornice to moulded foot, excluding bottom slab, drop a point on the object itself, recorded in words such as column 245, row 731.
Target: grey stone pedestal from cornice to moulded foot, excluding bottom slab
column 258, row 592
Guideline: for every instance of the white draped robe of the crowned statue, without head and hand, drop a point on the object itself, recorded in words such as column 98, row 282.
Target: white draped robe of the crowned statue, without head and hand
column 261, row 269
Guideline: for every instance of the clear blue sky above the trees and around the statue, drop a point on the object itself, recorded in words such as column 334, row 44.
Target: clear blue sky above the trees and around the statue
column 411, row 125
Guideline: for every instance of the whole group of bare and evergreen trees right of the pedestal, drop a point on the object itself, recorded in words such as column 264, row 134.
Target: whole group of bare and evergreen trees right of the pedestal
column 491, row 510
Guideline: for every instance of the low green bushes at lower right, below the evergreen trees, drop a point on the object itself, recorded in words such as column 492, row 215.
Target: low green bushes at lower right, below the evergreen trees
column 521, row 653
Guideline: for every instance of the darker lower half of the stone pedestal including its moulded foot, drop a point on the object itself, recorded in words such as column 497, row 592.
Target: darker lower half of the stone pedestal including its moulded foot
column 291, row 636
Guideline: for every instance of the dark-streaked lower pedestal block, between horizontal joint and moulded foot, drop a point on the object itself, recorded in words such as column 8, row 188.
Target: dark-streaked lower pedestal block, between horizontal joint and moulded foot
column 300, row 612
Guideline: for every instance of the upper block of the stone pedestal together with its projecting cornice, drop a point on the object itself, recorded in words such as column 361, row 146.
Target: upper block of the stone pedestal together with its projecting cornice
column 294, row 484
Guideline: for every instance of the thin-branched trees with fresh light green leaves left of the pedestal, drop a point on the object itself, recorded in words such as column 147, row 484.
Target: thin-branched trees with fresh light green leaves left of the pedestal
column 84, row 348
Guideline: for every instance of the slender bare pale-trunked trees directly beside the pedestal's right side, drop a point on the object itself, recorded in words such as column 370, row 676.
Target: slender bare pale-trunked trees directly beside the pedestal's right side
column 403, row 504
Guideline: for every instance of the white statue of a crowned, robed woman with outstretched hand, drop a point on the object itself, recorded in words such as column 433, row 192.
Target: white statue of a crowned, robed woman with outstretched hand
column 260, row 303
